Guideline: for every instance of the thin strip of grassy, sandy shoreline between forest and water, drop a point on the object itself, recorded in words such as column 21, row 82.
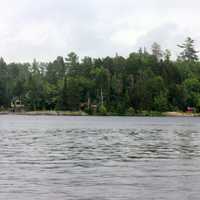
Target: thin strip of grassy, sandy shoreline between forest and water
column 81, row 113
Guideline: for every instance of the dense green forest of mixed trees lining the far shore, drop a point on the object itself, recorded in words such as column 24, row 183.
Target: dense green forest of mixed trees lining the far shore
column 144, row 81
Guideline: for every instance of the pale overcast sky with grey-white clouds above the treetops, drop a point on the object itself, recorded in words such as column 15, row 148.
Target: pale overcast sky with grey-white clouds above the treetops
column 44, row 29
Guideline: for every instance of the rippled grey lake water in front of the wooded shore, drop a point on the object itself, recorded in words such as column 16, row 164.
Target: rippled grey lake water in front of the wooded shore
column 99, row 158
